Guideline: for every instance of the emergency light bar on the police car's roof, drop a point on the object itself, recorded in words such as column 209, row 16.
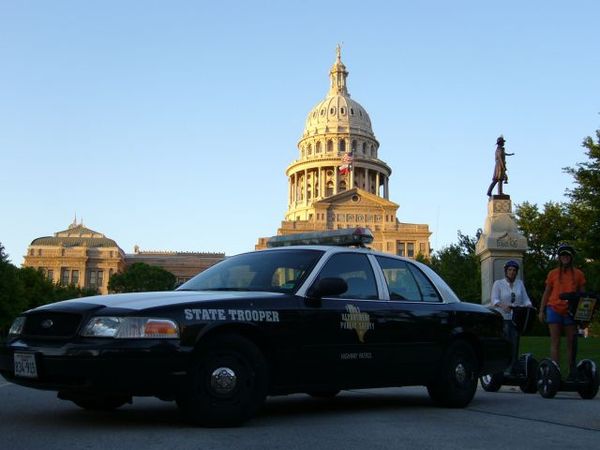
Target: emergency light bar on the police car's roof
column 346, row 237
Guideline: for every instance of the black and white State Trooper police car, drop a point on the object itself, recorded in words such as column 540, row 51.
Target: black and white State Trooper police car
column 314, row 318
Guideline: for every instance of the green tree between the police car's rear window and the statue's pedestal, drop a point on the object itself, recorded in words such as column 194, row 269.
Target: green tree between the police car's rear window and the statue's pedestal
column 458, row 265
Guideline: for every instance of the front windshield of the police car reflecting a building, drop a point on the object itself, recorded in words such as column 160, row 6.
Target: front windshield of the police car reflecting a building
column 271, row 271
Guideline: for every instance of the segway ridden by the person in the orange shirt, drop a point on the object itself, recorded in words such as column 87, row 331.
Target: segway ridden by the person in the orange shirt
column 584, row 377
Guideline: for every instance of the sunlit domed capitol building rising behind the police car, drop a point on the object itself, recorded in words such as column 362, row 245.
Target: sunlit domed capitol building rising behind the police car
column 339, row 181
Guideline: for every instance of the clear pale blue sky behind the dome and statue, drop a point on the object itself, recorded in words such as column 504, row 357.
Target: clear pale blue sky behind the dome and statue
column 170, row 124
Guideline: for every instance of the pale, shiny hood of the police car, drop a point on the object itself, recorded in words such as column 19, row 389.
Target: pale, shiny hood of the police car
column 145, row 300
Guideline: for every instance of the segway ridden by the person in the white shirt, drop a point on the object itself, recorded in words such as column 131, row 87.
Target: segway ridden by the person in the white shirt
column 522, row 372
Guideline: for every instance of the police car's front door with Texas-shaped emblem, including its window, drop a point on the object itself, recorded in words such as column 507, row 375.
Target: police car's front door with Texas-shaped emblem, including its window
column 341, row 345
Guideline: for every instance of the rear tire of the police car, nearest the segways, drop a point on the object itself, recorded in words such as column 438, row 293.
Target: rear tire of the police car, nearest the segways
column 456, row 382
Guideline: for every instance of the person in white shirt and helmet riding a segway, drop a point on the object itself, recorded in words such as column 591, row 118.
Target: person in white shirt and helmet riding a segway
column 506, row 293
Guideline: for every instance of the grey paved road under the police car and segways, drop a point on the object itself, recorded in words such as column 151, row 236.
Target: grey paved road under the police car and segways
column 365, row 420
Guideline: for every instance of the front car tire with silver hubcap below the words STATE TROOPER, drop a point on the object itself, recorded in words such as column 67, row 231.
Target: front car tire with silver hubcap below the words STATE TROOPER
column 228, row 383
